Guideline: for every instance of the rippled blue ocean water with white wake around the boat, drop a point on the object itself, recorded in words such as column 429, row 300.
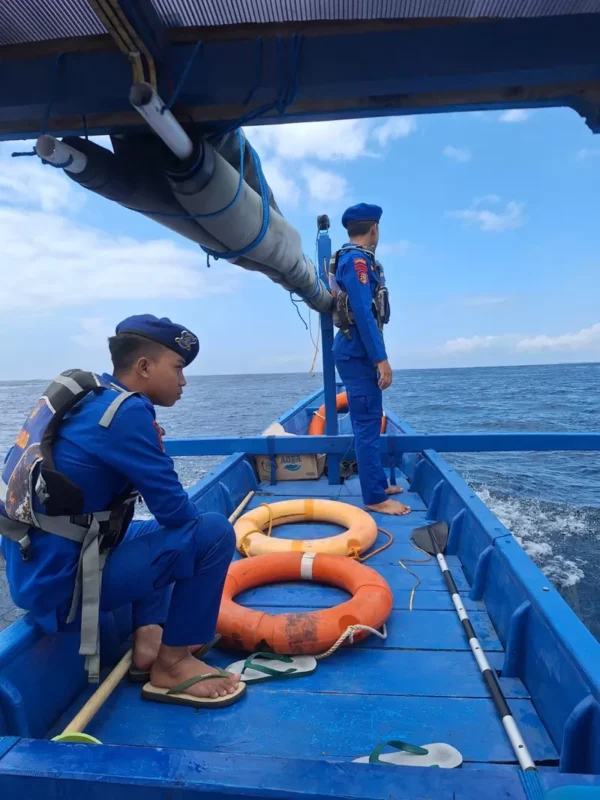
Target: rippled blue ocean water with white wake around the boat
column 549, row 501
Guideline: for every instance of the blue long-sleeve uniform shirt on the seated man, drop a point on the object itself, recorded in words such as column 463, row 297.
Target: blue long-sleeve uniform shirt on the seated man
column 102, row 462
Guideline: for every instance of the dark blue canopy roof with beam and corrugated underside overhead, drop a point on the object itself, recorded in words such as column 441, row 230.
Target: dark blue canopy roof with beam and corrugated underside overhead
column 265, row 61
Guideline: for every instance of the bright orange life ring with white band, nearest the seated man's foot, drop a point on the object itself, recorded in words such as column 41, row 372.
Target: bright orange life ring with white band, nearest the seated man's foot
column 307, row 633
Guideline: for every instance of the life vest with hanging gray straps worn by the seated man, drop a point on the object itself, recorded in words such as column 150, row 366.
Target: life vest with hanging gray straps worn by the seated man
column 34, row 495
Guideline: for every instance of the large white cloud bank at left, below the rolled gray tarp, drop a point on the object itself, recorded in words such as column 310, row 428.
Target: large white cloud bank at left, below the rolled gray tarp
column 51, row 260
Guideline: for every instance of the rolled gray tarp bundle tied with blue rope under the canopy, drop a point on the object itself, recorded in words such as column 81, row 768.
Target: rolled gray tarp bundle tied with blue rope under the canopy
column 143, row 176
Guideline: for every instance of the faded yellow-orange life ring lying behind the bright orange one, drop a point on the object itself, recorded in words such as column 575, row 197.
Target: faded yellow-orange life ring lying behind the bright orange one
column 360, row 534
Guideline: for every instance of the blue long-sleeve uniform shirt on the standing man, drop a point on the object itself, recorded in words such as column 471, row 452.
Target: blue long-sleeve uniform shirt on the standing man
column 356, row 275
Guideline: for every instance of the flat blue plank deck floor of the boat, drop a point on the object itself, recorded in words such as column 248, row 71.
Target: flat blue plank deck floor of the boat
column 420, row 685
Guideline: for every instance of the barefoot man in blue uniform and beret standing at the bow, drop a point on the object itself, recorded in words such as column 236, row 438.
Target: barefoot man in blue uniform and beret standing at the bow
column 362, row 309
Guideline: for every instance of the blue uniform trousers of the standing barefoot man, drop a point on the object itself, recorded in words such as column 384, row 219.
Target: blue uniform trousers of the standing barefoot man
column 365, row 404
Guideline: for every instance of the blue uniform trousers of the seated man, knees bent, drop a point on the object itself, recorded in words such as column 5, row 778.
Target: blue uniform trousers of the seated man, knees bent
column 171, row 576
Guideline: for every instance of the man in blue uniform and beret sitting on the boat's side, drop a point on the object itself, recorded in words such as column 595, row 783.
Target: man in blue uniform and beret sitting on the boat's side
column 88, row 449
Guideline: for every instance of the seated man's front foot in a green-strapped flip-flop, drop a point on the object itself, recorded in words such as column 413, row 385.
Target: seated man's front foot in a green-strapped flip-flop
column 176, row 664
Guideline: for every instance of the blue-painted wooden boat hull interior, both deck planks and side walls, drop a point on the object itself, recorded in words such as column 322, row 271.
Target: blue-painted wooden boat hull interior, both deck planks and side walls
column 421, row 683
